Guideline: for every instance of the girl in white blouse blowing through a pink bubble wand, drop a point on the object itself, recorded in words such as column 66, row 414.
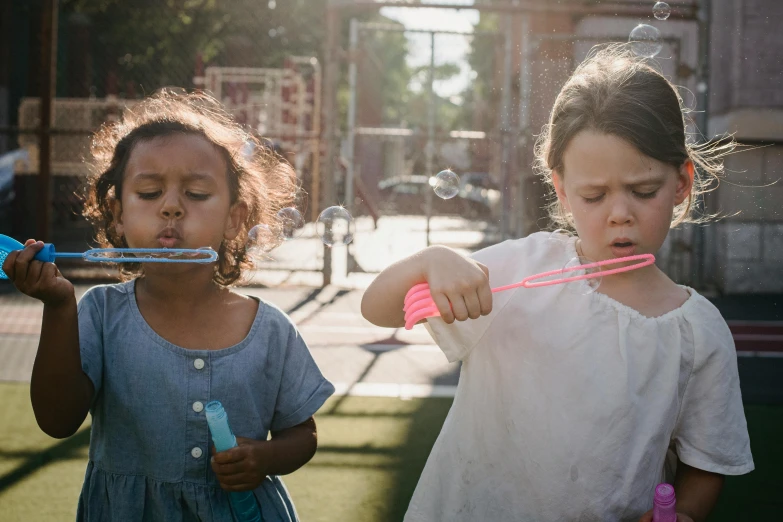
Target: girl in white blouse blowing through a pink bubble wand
column 571, row 406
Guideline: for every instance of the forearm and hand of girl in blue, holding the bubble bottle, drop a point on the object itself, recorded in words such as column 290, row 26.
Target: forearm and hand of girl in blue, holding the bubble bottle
column 245, row 466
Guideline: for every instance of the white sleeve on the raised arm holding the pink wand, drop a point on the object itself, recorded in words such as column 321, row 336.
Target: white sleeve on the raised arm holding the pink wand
column 505, row 261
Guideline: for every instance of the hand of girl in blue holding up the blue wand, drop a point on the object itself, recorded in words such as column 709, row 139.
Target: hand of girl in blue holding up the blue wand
column 42, row 281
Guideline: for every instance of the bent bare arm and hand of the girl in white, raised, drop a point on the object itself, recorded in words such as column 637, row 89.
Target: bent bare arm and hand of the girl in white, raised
column 459, row 287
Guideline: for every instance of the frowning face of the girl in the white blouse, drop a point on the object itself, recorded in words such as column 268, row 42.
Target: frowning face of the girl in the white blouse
column 622, row 201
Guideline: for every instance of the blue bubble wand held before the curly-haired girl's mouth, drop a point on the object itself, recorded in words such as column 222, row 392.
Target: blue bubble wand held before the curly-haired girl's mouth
column 112, row 255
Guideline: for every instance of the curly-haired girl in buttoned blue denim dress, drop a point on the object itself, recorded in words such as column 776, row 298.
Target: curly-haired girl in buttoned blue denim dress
column 144, row 356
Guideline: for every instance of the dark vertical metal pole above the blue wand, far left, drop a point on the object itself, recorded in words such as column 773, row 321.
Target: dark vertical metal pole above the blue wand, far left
column 48, row 86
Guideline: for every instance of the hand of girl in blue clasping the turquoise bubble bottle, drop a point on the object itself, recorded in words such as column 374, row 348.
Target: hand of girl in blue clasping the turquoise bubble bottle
column 240, row 468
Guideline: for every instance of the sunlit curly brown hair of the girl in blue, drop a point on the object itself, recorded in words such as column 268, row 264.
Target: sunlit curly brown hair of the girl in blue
column 256, row 175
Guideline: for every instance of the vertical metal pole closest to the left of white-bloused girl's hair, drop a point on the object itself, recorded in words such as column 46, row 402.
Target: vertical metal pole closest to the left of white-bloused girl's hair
column 525, row 78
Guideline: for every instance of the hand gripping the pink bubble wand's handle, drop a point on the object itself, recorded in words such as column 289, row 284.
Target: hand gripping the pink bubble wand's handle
column 459, row 286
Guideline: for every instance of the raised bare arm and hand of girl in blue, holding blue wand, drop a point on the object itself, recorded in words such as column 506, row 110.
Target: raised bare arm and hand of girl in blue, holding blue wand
column 60, row 391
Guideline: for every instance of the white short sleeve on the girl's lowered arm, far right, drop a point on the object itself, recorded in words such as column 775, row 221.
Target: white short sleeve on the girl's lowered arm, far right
column 711, row 432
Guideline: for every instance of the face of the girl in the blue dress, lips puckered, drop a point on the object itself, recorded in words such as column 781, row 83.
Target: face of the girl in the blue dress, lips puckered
column 176, row 195
